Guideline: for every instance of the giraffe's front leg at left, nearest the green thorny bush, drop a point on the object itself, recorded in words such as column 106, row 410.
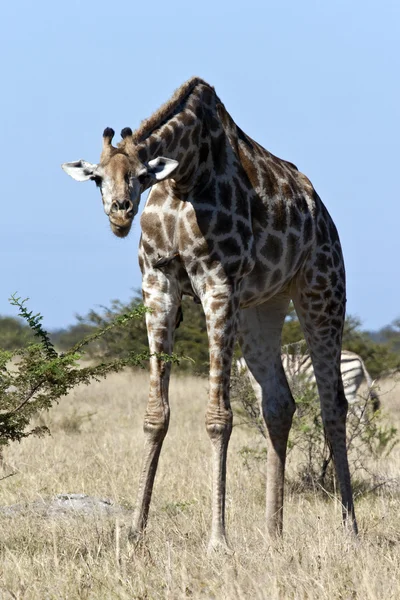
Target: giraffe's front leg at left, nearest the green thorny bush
column 161, row 323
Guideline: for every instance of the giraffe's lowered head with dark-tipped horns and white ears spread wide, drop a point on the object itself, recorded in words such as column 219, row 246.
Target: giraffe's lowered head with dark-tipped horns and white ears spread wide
column 121, row 177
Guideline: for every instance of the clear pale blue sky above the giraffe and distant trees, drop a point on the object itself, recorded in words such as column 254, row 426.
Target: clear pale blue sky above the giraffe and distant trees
column 317, row 83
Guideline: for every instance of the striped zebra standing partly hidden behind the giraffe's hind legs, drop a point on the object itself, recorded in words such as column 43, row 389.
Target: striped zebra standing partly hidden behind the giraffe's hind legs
column 298, row 369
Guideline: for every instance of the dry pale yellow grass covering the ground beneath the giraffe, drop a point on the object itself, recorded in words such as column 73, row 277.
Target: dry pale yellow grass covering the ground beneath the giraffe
column 95, row 448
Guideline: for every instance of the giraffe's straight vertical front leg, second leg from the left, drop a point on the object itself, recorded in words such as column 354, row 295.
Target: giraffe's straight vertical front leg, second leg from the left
column 221, row 314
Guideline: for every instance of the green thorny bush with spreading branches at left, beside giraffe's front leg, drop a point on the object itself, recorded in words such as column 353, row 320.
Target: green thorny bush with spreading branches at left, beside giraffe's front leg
column 34, row 377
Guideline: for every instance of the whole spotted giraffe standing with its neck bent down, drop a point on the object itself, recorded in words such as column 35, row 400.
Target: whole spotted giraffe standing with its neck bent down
column 242, row 232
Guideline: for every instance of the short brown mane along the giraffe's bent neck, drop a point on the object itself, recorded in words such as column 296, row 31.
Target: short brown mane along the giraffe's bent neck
column 169, row 108
